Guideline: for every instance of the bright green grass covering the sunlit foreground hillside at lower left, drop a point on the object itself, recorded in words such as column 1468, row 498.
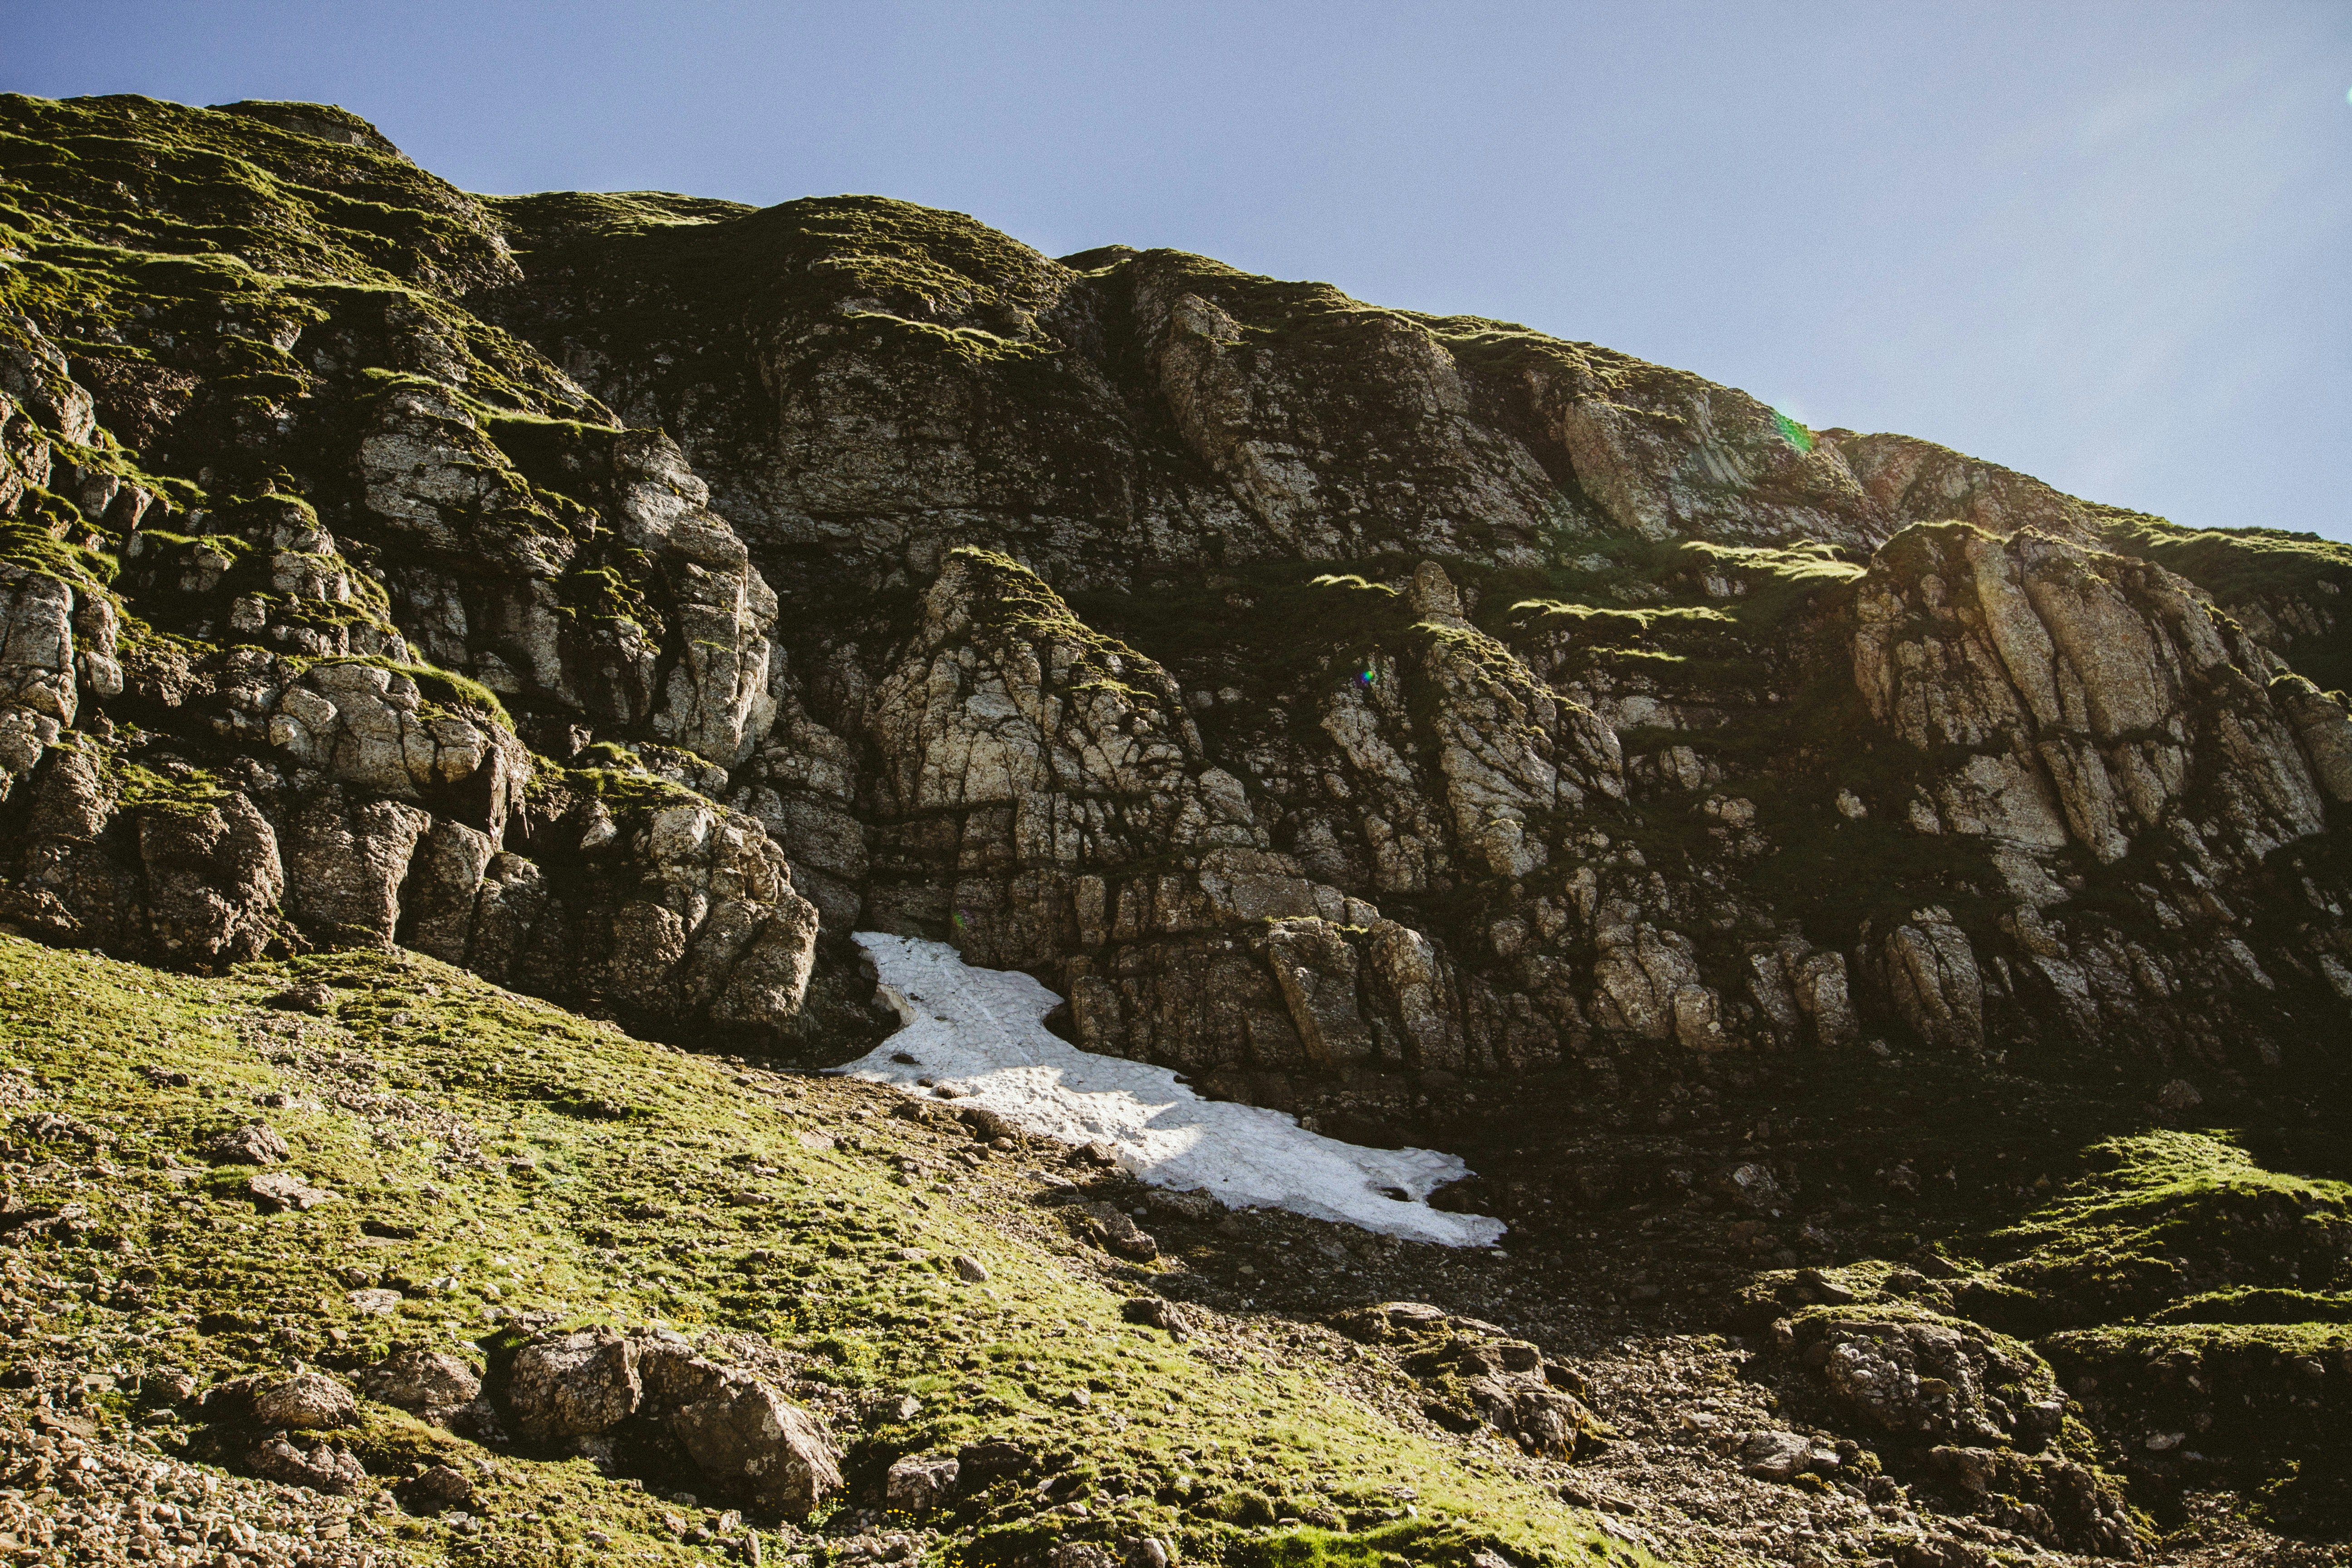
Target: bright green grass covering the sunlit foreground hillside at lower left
column 516, row 1141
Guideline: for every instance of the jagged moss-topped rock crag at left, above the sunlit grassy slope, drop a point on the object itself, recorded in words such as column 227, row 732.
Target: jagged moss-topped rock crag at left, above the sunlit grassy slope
column 286, row 629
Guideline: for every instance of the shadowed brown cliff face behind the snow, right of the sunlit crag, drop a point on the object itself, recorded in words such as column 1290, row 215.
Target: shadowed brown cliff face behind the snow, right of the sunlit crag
column 1410, row 695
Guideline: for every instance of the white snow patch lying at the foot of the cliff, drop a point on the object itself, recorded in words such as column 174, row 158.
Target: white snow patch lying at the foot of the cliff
column 980, row 1031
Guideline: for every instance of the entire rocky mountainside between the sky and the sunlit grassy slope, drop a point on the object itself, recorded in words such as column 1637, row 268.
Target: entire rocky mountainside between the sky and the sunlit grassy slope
column 1758, row 847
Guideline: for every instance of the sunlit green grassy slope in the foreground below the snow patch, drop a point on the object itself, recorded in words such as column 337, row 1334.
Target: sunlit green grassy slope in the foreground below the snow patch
column 483, row 1151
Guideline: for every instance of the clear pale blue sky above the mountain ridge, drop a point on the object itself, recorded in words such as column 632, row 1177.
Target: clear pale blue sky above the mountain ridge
column 2102, row 243
